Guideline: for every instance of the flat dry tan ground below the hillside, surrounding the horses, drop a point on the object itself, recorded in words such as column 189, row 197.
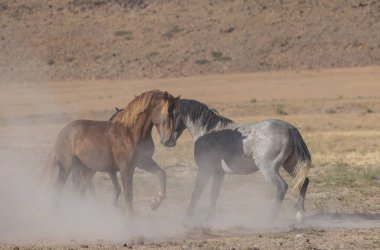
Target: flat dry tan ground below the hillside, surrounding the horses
column 336, row 110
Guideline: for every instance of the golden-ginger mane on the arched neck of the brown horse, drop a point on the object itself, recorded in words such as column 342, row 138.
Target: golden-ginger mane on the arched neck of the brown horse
column 130, row 114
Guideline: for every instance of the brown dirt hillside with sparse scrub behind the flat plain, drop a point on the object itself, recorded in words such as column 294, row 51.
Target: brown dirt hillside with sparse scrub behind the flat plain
column 43, row 40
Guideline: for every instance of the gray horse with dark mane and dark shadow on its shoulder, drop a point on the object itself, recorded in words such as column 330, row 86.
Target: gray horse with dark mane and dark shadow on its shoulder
column 222, row 146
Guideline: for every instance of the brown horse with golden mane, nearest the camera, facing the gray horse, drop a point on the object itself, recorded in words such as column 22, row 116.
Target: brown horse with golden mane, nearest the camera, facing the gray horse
column 110, row 146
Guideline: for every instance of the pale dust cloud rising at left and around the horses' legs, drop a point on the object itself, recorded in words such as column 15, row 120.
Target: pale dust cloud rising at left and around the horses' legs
column 27, row 210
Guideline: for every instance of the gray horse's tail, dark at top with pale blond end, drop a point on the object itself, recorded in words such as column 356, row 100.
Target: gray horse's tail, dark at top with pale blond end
column 303, row 160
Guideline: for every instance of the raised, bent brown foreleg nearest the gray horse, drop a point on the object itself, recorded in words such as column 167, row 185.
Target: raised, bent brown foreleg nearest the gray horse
column 151, row 166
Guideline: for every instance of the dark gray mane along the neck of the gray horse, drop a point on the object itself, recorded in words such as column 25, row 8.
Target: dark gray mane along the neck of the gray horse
column 200, row 112
